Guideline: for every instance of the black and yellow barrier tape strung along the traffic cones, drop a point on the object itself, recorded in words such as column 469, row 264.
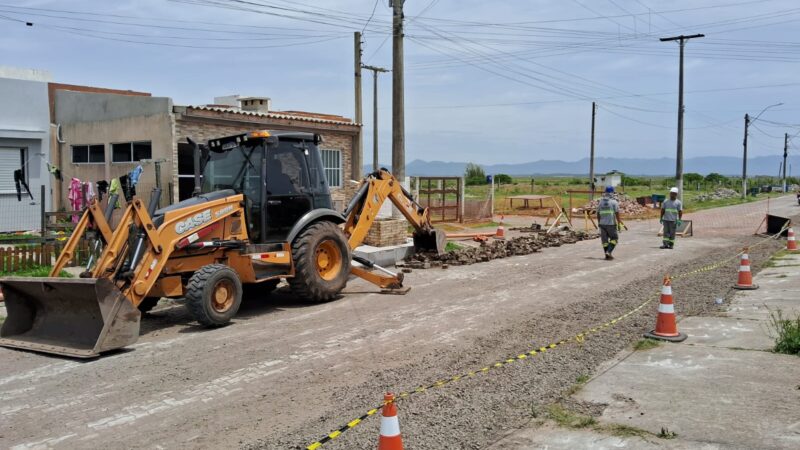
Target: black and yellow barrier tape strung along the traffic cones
column 578, row 338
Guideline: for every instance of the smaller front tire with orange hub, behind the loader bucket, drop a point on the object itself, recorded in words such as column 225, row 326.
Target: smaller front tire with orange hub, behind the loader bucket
column 213, row 295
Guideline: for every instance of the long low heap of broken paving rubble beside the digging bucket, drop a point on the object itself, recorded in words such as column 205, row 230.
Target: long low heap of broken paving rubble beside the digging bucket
column 496, row 249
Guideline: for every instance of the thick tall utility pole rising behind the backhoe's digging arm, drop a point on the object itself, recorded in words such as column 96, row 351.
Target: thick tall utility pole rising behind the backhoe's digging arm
column 398, row 107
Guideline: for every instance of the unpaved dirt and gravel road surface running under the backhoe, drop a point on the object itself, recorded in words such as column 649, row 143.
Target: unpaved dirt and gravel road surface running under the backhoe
column 284, row 374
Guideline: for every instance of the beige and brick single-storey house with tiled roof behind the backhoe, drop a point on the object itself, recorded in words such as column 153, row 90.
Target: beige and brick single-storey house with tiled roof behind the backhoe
column 104, row 135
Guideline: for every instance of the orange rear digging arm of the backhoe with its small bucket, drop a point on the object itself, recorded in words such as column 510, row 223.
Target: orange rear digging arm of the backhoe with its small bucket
column 362, row 212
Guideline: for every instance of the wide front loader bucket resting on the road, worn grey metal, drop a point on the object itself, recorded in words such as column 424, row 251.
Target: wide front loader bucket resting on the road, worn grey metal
column 74, row 317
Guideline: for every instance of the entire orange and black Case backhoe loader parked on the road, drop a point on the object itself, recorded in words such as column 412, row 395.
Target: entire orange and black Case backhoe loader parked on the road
column 261, row 212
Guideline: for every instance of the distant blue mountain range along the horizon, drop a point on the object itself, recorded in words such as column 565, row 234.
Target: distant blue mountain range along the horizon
column 762, row 165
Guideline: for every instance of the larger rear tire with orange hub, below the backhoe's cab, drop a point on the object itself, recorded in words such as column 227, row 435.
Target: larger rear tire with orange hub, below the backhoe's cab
column 321, row 257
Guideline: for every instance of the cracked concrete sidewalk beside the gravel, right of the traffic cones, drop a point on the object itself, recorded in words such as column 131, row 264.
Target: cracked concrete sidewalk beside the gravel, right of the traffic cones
column 721, row 388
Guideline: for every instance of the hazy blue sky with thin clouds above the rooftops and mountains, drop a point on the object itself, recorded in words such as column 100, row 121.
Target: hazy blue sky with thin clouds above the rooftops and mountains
column 504, row 81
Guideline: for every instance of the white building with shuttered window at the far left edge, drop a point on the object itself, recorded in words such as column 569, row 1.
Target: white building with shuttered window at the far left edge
column 24, row 143
